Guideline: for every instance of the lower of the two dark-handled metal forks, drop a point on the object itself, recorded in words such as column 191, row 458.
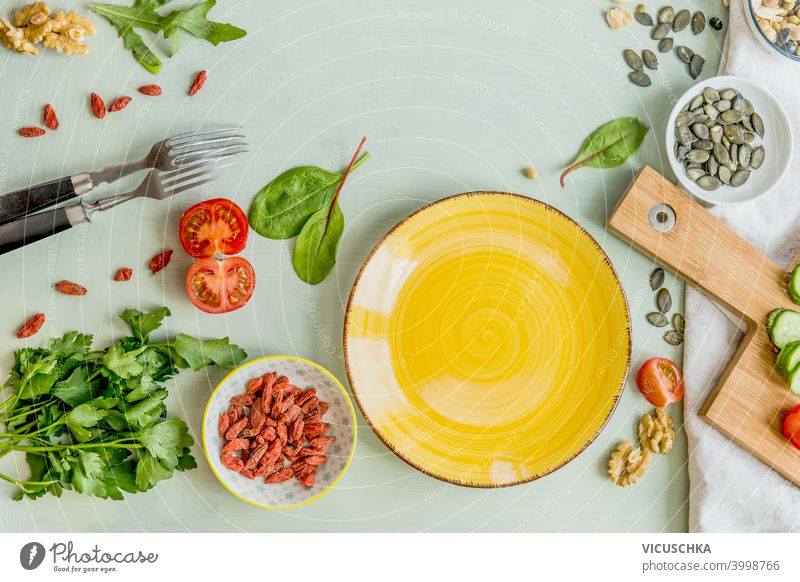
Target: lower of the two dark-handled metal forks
column 157, row 185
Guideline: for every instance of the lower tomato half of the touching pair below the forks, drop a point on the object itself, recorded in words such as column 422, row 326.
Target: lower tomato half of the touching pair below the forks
column 220, row 285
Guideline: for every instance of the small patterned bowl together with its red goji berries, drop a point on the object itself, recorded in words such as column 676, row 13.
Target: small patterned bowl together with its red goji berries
column 279, row 432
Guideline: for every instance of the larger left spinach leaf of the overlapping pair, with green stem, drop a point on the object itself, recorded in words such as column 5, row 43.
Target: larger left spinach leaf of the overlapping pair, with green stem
column 283, row 206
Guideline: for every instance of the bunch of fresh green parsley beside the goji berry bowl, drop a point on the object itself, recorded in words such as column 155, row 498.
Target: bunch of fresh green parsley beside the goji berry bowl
column 95, row 421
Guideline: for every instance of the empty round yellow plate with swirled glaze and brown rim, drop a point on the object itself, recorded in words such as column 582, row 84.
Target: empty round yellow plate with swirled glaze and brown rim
column 487, row 339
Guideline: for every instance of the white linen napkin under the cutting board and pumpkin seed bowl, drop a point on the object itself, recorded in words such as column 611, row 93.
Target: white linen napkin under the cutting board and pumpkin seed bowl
column 730, row 490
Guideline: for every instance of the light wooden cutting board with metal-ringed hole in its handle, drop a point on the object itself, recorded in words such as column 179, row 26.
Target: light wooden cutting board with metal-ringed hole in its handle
column 750, row 399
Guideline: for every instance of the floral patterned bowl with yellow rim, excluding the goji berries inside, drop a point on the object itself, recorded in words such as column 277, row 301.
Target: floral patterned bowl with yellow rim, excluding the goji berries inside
column 341, row 416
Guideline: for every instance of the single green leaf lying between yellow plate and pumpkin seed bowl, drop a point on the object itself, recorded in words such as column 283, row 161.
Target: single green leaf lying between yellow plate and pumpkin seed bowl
column 609, row 145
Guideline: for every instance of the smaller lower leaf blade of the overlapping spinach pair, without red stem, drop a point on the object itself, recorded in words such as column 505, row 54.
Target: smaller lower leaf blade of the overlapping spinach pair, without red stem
column 317, row 245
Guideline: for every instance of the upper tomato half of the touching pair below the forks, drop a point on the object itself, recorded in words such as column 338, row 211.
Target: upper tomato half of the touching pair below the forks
column 213, row 227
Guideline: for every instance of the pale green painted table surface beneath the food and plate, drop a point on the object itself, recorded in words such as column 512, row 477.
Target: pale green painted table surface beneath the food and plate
column 453, row 98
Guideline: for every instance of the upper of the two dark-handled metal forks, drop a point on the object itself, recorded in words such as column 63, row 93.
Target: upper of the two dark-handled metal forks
column 185, row 150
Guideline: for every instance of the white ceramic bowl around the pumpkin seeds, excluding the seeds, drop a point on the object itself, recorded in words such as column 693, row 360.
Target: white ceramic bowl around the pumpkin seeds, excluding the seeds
column 777, row 142
